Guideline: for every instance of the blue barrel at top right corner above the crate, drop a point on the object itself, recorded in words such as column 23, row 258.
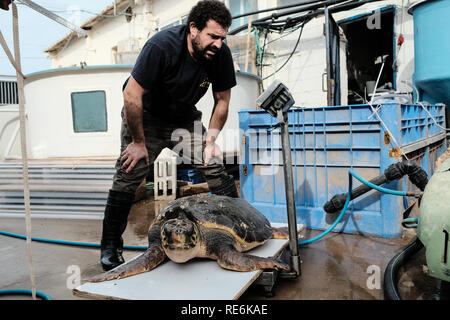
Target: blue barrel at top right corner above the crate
column 432, row 51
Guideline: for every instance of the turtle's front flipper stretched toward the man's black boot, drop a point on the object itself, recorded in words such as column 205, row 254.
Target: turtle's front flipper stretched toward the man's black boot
column 147, row 261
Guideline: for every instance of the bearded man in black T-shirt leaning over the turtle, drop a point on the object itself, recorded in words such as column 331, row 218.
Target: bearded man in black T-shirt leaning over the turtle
column 172, row 72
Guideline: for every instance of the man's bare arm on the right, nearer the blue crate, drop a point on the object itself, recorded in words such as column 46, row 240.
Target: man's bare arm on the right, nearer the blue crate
column 218, row 119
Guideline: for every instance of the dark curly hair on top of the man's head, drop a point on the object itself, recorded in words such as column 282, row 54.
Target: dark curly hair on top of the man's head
column 205, row 10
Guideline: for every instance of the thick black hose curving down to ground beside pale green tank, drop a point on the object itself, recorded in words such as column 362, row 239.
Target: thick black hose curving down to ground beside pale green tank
column 391, row 272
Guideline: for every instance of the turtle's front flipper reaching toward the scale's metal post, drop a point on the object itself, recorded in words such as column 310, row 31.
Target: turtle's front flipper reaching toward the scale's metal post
column 232, row 259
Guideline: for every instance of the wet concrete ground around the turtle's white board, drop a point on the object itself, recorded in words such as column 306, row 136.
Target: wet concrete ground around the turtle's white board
column 338, row 267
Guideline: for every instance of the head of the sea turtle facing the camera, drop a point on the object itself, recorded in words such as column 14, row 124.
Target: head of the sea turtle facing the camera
column 180, row 239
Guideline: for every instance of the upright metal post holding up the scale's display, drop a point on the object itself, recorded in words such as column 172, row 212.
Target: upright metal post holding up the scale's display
column 290, row 192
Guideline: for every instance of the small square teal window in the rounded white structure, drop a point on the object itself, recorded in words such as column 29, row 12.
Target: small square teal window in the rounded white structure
column 89, row 111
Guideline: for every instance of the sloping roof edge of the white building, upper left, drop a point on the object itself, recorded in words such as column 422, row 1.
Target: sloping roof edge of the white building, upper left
column 108, row 11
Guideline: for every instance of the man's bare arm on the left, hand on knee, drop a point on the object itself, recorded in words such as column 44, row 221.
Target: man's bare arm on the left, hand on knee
column 136, row 150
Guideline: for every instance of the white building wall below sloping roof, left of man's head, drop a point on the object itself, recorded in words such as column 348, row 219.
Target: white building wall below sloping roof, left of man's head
column 115, row 37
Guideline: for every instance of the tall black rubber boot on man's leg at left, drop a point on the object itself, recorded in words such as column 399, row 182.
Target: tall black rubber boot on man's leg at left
column 114, row 223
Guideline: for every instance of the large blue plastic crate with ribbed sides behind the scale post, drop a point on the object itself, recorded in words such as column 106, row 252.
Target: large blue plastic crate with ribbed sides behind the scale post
column 325, row 143
